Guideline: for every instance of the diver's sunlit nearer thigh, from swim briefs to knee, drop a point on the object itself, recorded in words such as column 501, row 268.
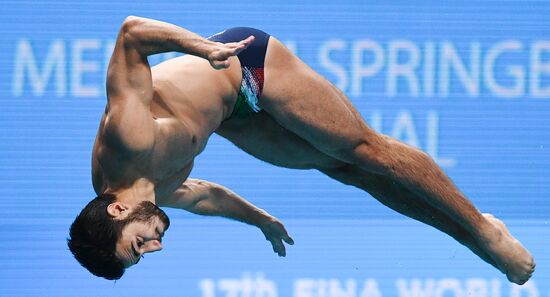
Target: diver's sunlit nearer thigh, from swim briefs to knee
column 307, row 104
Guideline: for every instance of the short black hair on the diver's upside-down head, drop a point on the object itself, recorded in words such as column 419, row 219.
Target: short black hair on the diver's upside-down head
column 93, row 237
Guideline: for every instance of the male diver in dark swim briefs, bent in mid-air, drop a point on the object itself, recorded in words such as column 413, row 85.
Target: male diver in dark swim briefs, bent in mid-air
column 244, row 85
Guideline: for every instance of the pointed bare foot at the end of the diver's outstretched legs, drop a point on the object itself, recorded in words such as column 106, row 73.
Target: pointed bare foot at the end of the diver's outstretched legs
column 510, row 256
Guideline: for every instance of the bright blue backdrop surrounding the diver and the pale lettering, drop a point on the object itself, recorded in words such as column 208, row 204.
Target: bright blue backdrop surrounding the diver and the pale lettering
column 500, row 145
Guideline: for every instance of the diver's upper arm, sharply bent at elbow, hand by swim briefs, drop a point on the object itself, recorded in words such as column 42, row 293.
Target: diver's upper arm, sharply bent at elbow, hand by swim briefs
column 129, row 83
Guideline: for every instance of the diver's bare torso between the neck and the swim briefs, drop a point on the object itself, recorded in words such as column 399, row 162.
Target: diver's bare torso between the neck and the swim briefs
column 190, row 101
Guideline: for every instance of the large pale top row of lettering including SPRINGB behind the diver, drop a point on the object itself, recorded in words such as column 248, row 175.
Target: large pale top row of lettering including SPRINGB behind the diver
column 418, row 69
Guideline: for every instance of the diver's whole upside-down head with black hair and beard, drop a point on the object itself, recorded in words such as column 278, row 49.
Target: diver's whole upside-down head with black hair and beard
column 109, row 236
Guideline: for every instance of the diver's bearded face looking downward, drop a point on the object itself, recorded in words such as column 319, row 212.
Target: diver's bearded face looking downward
column 143, row 234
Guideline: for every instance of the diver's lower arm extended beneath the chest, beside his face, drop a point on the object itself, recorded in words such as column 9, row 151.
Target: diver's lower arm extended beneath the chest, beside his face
column 207, row 198
